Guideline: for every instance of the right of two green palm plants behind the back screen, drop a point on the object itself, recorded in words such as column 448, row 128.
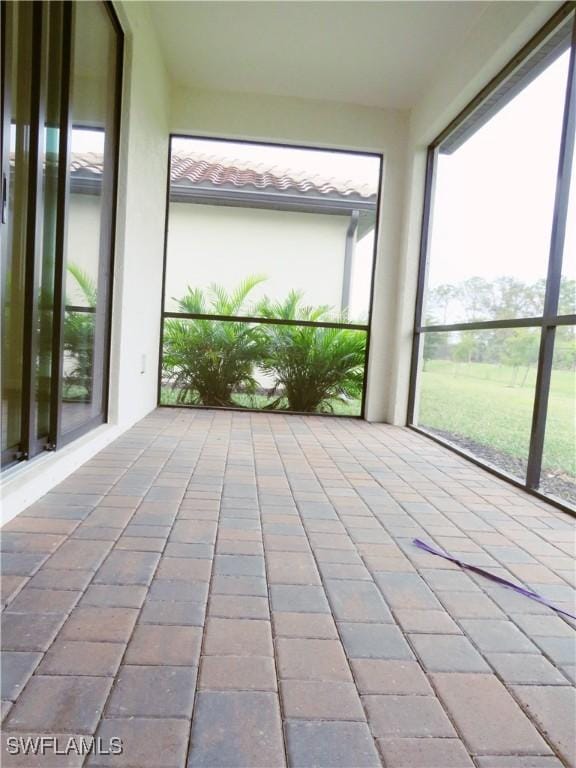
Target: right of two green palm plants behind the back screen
column 311, row 367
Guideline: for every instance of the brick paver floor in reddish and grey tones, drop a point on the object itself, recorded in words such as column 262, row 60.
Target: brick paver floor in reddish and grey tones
column 226, row 589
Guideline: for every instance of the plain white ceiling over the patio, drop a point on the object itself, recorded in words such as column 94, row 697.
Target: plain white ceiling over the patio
column 379, row 54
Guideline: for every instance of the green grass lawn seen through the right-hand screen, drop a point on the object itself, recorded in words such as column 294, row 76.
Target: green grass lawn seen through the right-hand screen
column 479, row 401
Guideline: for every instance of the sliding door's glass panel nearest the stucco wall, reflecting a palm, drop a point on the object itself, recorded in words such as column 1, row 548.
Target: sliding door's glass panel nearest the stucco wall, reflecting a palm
column 89, row 233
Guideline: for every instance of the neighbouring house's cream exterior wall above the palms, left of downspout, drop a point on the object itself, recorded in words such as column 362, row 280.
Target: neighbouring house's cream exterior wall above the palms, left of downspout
column 224, row 245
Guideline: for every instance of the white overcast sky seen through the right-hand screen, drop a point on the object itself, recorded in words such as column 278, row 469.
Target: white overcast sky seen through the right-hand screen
column 494, row 196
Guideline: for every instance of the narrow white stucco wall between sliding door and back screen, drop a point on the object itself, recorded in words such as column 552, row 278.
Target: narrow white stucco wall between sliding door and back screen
column 140, row 223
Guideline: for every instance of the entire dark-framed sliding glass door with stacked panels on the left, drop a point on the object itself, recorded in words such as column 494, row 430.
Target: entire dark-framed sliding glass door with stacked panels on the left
column 60, row 91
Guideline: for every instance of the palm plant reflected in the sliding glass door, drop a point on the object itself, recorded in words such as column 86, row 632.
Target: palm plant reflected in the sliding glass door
column 78, row 337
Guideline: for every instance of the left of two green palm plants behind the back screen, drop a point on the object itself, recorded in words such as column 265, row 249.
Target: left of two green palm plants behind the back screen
column 207, row 361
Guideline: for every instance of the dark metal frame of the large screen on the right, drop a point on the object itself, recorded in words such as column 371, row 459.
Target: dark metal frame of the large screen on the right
column 549, row 320
